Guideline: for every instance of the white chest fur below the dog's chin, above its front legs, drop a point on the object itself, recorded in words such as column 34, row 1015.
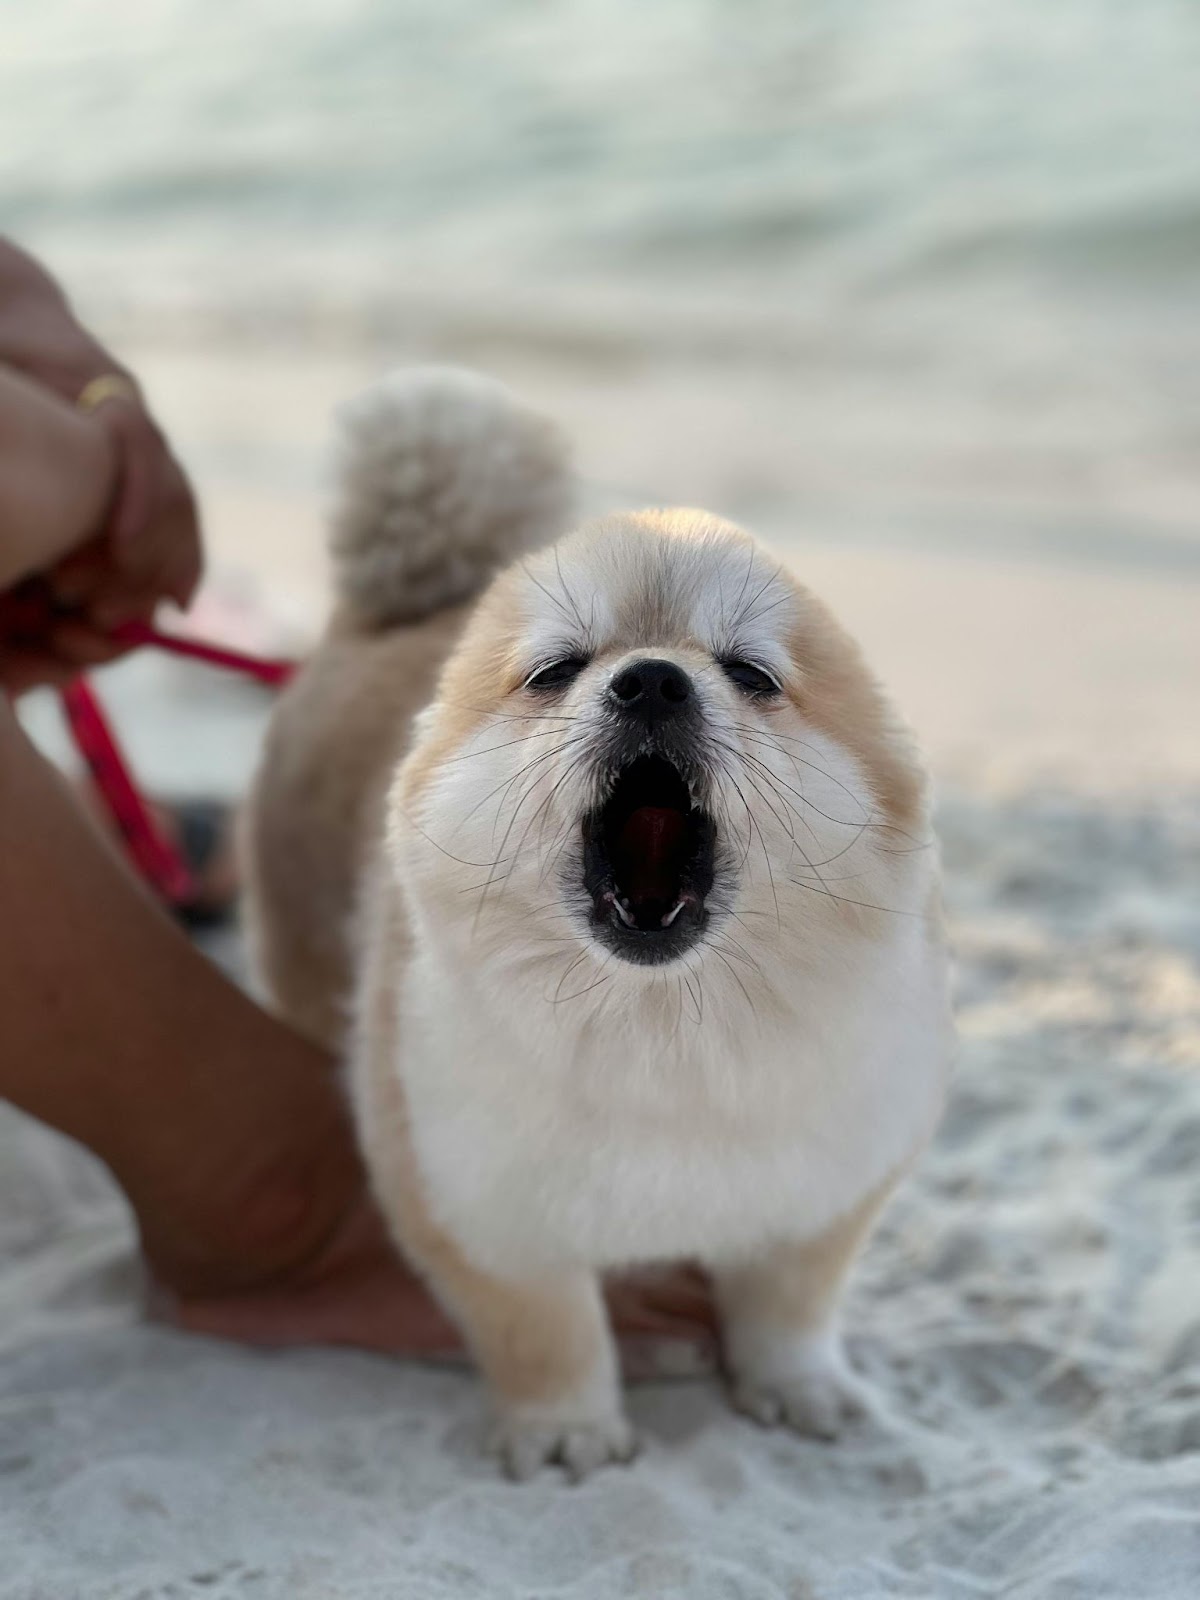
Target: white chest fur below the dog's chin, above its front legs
column 543, row 1143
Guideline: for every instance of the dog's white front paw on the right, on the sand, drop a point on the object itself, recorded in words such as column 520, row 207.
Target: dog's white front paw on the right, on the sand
column 807, row 1386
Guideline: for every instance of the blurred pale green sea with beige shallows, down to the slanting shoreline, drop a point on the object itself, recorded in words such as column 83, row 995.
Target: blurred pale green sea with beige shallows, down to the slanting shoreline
column 977, row 217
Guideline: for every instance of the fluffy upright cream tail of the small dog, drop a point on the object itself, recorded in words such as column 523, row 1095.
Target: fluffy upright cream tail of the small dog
column 444, row 478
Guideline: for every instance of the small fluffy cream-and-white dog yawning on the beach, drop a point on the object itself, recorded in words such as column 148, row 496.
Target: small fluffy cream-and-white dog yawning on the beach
column 618, row 881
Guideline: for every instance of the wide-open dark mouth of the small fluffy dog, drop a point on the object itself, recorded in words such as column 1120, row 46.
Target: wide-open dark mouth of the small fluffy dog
column 649, row 862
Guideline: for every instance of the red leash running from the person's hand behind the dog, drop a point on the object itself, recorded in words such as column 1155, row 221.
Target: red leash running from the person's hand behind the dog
column 153, row 854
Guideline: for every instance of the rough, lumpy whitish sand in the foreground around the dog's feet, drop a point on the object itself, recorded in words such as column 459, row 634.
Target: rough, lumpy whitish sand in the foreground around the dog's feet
column 1030, row 1313
